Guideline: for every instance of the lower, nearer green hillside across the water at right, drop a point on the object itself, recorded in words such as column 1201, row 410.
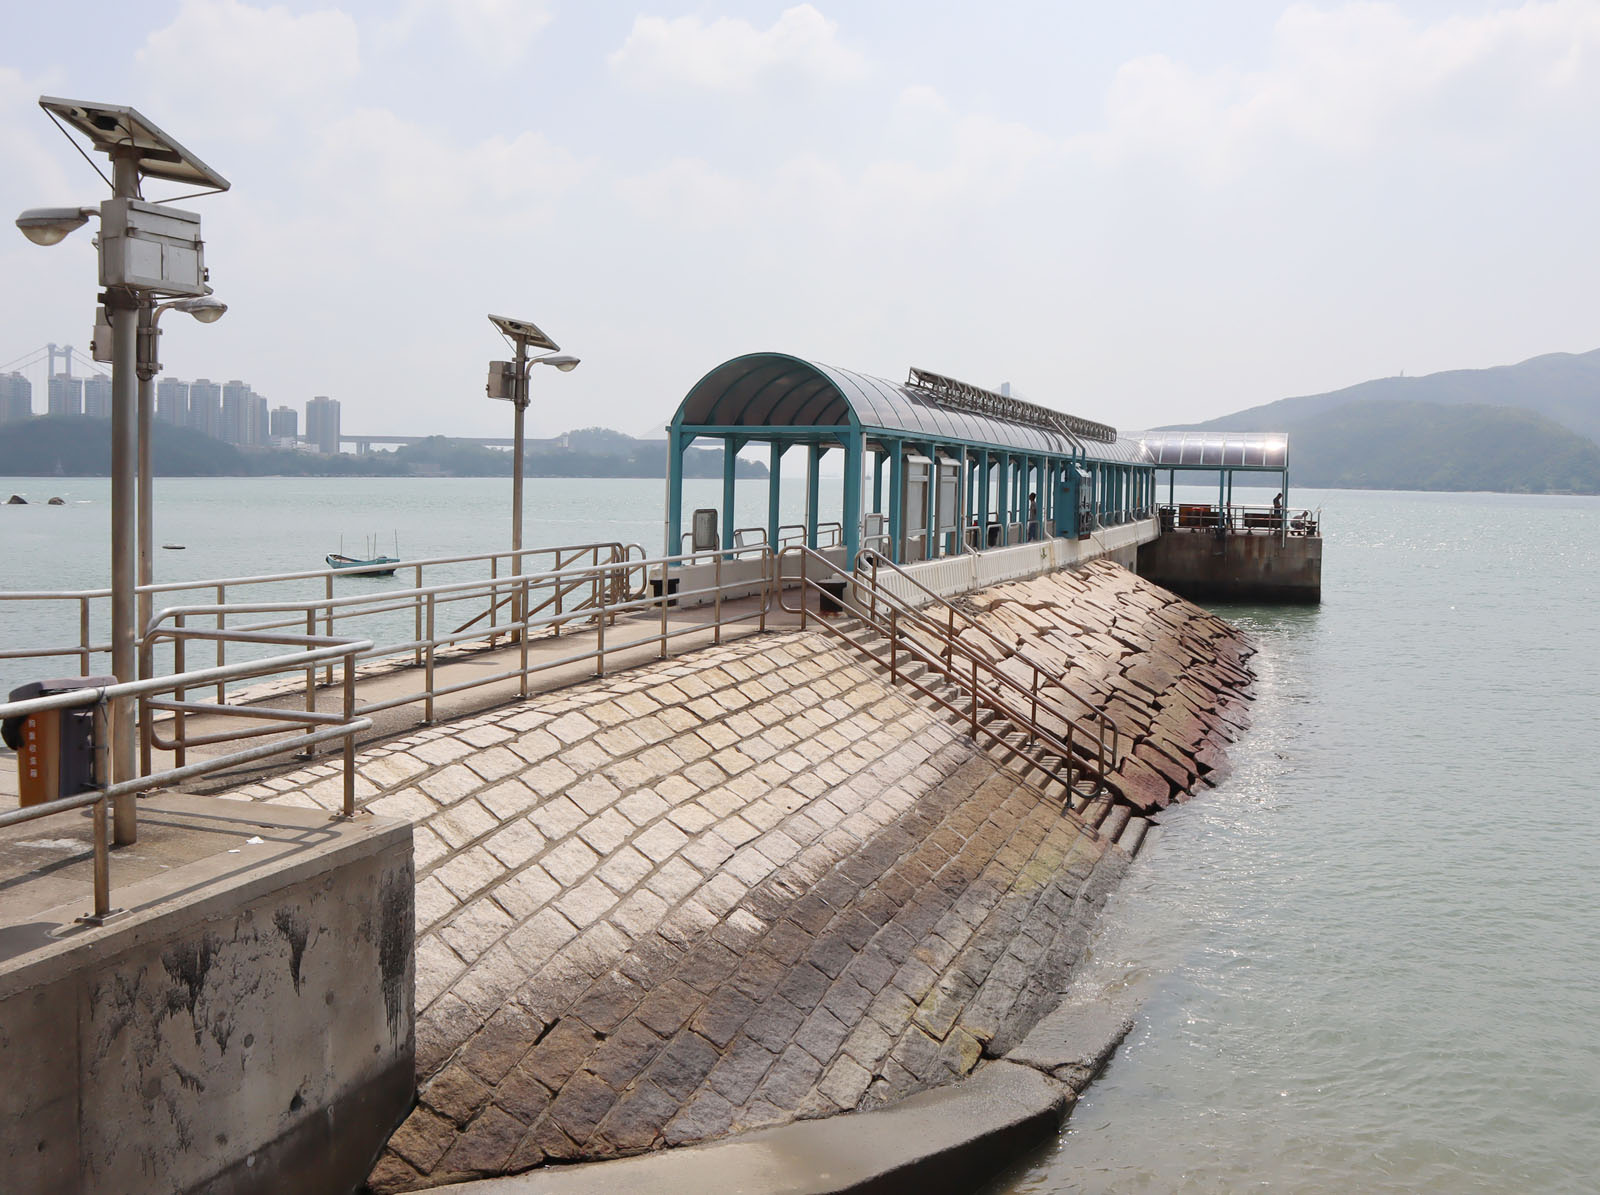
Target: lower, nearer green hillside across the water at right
column 1417, row 446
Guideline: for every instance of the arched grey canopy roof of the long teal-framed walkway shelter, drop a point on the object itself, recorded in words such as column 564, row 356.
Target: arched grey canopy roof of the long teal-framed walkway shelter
column 775, row 391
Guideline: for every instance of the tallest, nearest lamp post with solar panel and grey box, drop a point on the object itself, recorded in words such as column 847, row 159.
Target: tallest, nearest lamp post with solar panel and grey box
column 145, row 250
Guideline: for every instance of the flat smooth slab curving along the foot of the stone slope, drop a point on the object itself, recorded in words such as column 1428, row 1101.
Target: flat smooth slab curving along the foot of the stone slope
column 946, row 1140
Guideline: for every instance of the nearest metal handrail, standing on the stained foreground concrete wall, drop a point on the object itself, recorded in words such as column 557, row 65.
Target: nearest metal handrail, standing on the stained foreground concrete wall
column 334, row 727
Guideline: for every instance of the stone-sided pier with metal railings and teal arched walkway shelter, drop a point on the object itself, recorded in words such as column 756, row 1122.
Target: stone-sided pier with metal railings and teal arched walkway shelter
column 631, row 852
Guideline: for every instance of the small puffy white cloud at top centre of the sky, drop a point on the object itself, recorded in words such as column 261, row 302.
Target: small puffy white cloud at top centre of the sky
column 732, row 55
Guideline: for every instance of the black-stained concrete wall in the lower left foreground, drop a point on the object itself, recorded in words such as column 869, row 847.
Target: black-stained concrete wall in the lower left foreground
column 249, row 1029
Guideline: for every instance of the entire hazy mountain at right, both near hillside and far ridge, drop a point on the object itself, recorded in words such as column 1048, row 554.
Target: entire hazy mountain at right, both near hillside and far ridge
column 1529, row 428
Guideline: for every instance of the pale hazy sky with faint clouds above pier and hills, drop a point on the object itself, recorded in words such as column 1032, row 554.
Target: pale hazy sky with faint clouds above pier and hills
column 1143, row 214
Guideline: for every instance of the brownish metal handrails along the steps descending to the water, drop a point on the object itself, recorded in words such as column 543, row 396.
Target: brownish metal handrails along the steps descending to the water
column 988, row 692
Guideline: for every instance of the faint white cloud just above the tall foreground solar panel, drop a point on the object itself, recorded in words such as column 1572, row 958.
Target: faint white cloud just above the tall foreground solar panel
column 244, row 71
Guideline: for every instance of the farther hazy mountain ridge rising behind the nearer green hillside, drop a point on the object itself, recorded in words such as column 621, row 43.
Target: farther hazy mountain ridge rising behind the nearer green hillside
column 1561, row 386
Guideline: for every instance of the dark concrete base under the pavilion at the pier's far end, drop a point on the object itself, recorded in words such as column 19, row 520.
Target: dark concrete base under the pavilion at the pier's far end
column 1202, row 567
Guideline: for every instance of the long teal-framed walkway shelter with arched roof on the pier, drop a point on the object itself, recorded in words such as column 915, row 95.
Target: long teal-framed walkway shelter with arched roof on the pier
column 934, row 468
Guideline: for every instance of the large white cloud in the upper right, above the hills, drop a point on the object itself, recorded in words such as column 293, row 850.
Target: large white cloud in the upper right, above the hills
column 1354, row 81
